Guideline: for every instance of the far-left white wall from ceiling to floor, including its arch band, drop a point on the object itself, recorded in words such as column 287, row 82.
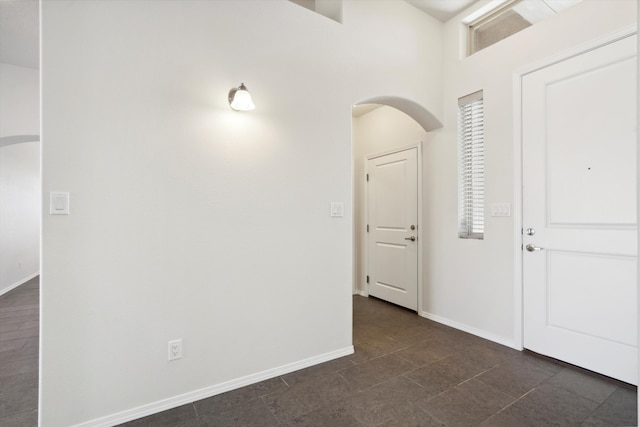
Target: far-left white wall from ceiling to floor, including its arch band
column 19, row 176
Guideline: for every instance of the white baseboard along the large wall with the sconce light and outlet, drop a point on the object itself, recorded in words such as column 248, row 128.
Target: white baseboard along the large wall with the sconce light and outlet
column 174, row 402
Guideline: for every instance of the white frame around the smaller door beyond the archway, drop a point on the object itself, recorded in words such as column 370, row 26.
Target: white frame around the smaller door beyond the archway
column 365, row 212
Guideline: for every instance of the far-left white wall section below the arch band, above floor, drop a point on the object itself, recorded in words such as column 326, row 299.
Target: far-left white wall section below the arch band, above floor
column 19, row 214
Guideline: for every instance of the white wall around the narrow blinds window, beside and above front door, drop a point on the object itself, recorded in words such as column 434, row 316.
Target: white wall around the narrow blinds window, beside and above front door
column 482, row 297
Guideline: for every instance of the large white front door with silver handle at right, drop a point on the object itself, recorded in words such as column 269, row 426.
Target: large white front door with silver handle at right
column 579, row 210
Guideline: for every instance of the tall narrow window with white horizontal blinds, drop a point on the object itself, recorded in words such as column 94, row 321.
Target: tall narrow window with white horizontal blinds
column 471, row 166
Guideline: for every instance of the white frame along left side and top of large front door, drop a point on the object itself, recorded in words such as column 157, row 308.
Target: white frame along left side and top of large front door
column 518, row 161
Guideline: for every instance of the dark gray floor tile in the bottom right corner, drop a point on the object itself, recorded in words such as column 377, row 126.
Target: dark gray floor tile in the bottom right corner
column 620, row 409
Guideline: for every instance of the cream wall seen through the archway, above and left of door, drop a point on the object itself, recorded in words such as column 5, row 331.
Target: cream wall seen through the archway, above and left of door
column 378, row 131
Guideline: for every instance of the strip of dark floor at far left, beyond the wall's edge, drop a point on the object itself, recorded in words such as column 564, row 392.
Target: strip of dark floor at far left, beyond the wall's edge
column 19, row 356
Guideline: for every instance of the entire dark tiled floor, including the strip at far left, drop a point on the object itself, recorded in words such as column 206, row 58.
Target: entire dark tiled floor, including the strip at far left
column 406, row 371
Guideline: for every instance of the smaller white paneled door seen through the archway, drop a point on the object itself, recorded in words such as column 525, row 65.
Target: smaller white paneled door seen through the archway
column 392, row 192
